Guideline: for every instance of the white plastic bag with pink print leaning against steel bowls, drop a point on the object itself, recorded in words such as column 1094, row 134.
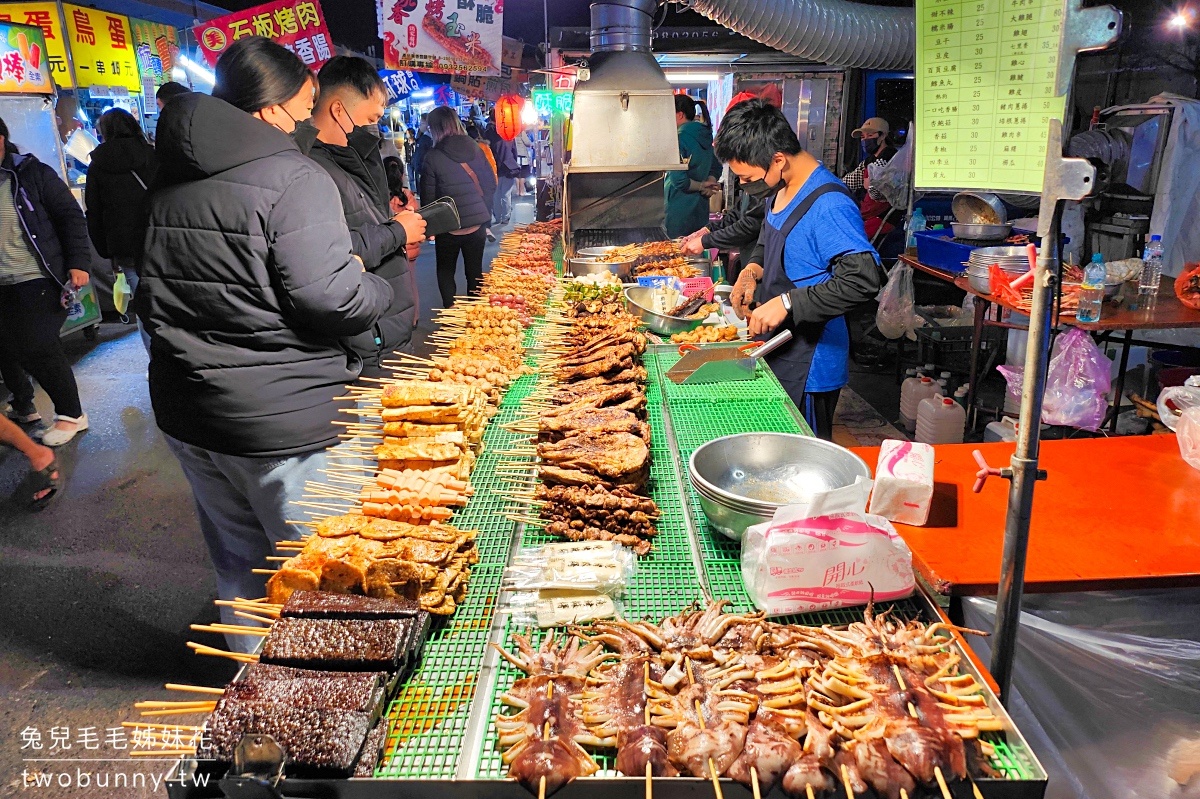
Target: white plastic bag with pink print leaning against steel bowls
column 825, row 555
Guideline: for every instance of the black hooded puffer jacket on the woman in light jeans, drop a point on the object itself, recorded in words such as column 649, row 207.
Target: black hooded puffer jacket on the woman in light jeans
column 248, row 284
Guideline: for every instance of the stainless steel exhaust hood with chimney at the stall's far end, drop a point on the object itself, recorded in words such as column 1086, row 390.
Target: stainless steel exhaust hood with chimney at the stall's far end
column 623, row 130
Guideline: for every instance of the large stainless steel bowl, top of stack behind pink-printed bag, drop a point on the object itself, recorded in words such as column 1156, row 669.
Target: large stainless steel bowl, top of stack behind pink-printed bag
column 766, row 471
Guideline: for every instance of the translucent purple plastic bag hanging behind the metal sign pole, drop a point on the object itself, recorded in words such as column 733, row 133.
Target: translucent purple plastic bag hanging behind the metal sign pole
column 1077, row 385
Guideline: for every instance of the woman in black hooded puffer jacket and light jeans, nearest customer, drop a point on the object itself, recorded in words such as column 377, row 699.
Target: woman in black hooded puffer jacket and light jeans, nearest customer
column 248, row 285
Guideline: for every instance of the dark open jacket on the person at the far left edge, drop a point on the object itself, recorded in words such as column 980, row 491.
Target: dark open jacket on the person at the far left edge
column 51, row 217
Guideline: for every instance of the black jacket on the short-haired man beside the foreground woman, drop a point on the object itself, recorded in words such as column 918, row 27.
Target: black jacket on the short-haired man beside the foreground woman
column 363, row 185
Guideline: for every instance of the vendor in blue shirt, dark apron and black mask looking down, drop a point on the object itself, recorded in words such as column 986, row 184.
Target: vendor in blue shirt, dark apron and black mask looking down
column 813, row 263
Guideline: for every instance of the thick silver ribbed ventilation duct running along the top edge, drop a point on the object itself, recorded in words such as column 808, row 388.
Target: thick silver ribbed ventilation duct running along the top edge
column 829, row 32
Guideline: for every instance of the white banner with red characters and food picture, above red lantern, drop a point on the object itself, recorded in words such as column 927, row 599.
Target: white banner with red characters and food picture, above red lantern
column 448, row 37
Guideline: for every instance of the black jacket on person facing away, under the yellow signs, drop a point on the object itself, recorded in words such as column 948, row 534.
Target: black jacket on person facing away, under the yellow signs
column 117, row 202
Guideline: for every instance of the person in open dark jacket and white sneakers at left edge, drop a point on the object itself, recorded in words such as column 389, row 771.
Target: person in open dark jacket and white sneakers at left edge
column 44, row 257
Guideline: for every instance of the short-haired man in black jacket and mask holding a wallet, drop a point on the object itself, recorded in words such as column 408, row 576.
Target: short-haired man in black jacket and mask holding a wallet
column 347, row 147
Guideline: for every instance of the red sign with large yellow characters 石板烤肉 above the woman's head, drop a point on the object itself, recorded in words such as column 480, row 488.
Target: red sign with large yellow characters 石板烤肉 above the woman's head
column 297, row 25
